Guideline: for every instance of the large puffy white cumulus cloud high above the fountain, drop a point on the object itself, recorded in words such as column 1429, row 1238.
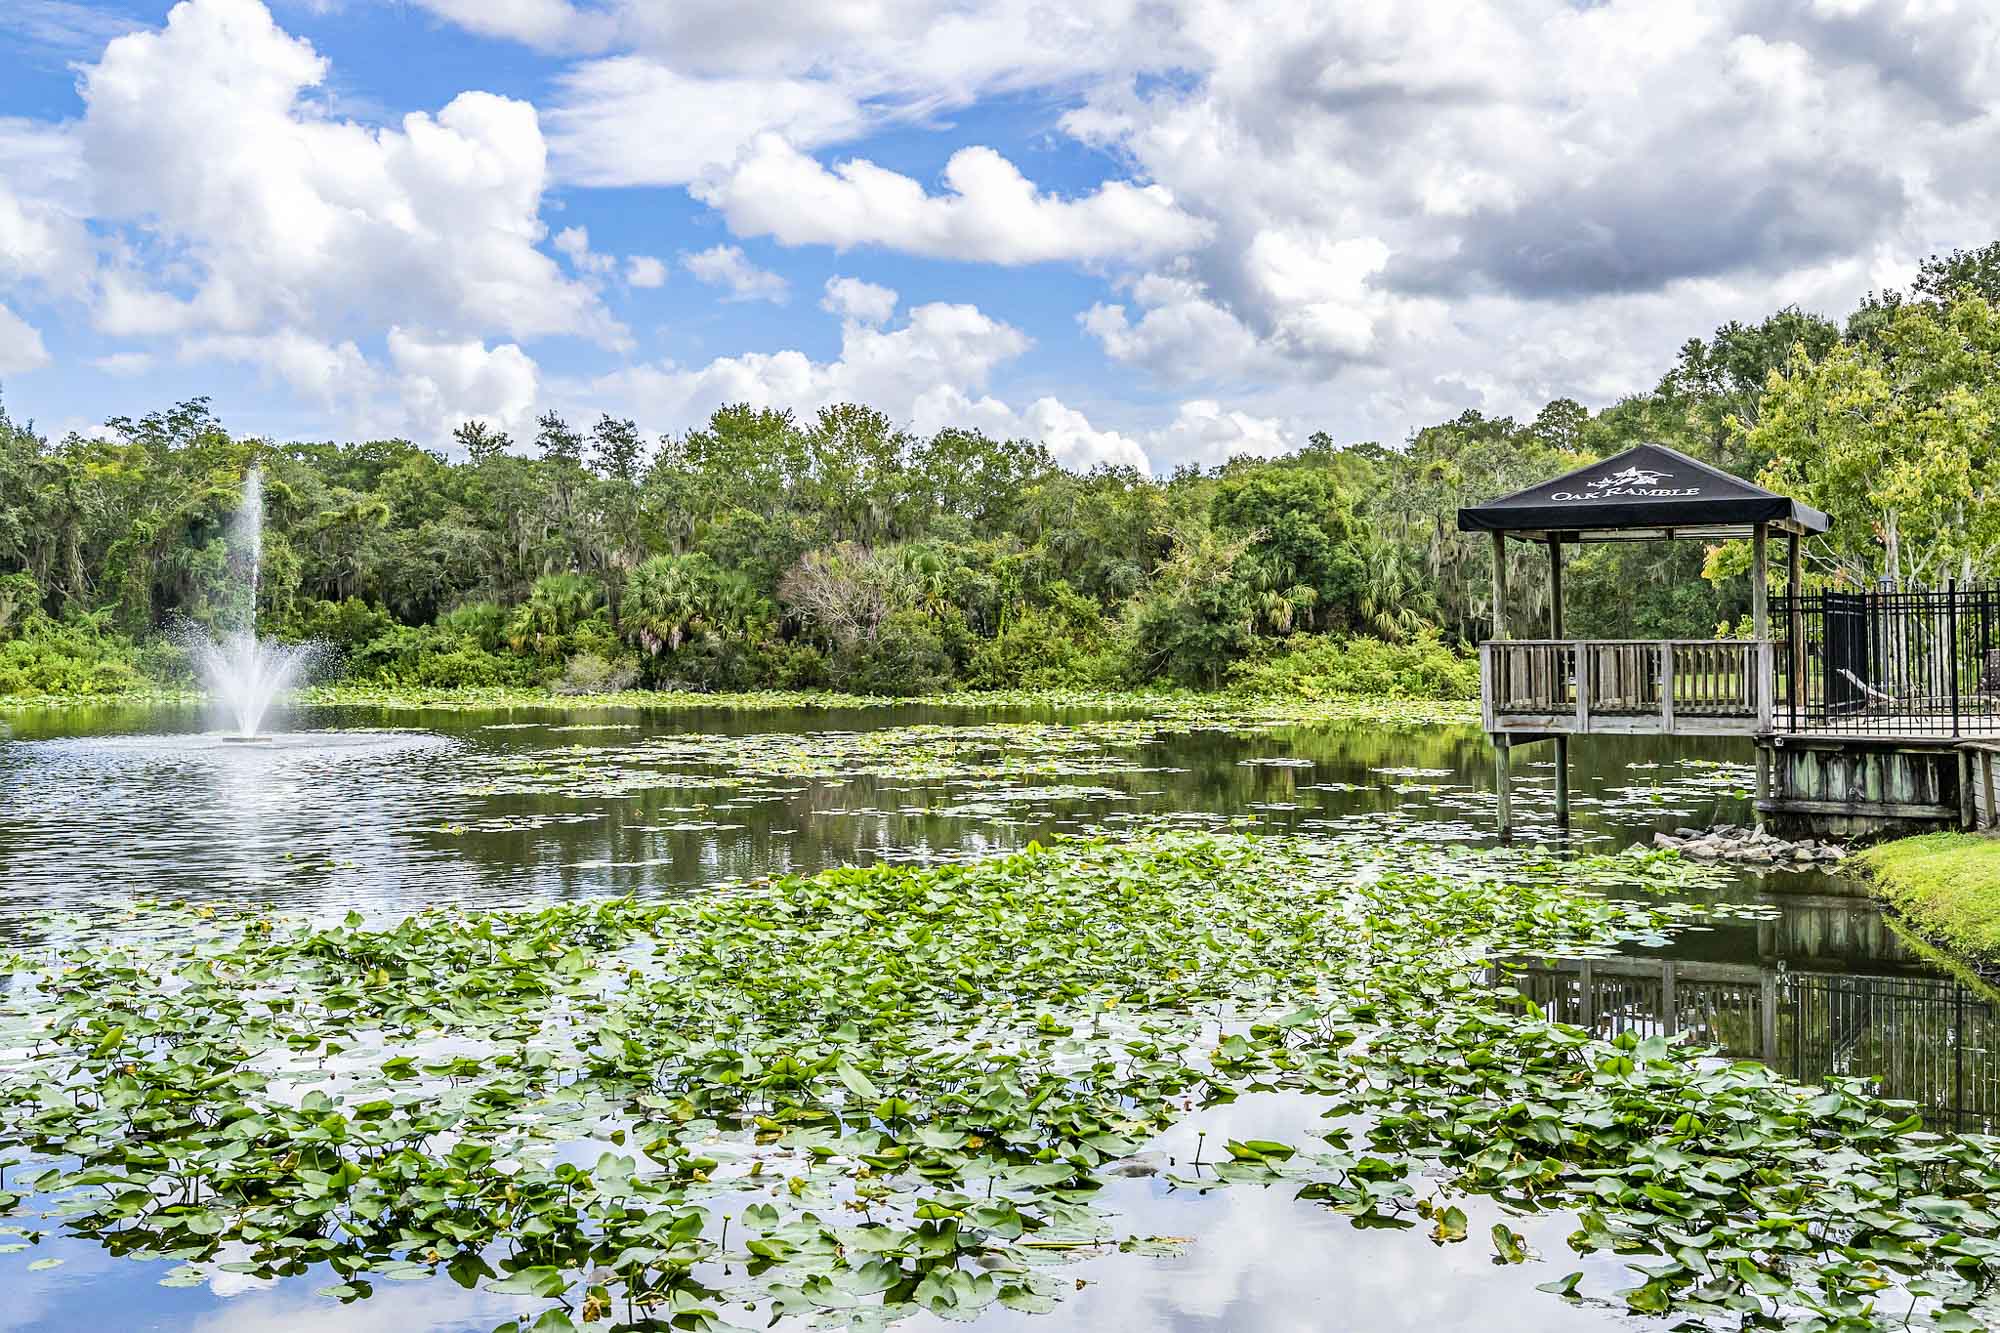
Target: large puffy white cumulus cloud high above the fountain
column 285, row 219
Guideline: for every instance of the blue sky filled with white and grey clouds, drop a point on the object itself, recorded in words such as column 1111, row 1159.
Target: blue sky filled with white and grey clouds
column 1141, row 231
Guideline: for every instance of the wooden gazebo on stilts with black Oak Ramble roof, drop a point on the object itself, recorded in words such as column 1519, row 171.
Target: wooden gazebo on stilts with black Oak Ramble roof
column 1549, row 690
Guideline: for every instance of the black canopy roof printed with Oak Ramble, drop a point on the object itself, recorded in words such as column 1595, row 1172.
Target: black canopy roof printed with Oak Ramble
column 1647, row 491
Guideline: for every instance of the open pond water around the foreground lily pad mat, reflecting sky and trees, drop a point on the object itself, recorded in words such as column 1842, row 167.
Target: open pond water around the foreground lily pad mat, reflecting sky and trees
column 389, row 812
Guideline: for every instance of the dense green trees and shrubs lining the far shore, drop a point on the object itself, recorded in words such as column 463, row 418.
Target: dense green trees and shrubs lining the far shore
column 845, row 553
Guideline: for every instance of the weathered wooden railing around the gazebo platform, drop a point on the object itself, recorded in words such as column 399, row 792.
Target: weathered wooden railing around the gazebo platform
column 1645, row 686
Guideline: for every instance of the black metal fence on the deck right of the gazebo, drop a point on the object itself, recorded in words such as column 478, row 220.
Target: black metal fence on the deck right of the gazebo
column 1893, row 663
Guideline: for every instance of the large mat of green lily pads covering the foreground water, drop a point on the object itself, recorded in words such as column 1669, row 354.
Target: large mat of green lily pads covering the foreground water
column 867, row 1094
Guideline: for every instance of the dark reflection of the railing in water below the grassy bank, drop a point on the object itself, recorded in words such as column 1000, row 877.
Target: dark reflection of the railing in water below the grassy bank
column 1929, row 1040
